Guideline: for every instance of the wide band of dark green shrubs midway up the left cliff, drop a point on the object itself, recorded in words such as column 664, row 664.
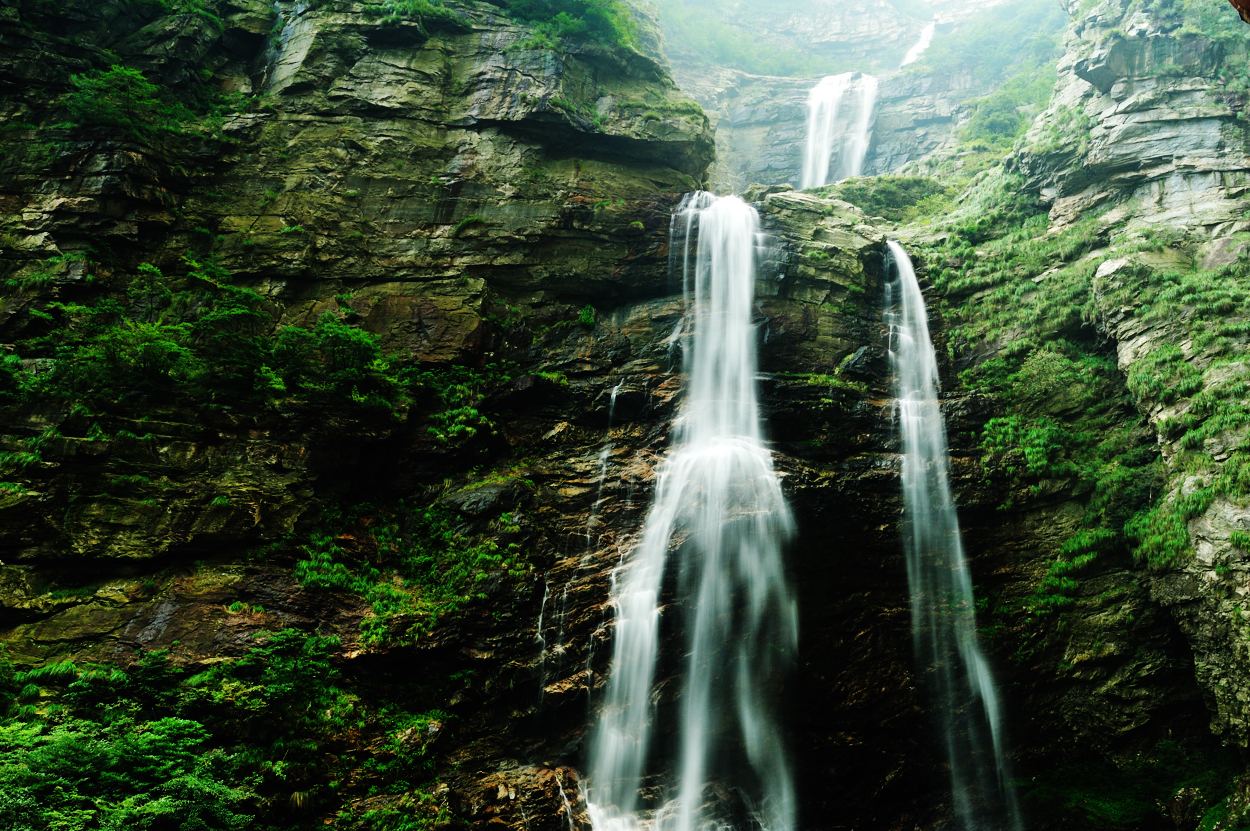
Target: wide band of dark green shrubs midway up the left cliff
column 199, row 341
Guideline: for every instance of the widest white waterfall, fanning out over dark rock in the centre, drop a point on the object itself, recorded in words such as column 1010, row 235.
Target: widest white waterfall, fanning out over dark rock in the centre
column 716, row 528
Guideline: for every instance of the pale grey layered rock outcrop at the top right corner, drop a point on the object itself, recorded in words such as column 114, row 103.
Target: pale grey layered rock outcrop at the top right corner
column 1146, row 113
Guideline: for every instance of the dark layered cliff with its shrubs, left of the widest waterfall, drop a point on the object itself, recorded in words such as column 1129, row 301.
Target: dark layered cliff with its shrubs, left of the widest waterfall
column 469, row 224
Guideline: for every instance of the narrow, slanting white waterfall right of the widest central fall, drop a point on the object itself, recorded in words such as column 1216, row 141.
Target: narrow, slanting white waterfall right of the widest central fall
column 943, row 617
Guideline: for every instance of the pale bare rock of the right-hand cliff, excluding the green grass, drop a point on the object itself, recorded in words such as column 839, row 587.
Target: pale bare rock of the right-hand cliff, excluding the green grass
column 1147, row 132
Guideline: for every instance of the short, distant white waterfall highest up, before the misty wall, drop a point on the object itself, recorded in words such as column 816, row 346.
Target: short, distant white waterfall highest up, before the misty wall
column 841, row 112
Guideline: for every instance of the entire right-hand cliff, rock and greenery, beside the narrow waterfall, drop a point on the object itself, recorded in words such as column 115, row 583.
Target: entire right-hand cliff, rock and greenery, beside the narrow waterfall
column 1092, row 292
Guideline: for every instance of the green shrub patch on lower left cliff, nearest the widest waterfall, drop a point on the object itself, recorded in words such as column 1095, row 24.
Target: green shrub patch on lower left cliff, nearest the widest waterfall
column 413, row 567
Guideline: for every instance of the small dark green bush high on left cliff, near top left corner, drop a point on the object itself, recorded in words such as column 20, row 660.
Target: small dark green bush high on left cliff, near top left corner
column 122, row 101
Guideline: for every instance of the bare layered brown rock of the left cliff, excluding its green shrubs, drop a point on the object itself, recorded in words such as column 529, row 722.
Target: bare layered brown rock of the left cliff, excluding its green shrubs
column 473, row 198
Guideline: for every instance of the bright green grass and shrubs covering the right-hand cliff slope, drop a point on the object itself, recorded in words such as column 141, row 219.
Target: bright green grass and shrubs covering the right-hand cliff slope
column 1024, row 299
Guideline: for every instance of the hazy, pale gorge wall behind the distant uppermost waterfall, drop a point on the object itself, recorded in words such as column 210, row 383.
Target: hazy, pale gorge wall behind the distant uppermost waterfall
column 752, row 72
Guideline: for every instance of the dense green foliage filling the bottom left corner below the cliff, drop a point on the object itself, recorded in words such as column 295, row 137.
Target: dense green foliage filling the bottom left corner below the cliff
column 156, row 747
